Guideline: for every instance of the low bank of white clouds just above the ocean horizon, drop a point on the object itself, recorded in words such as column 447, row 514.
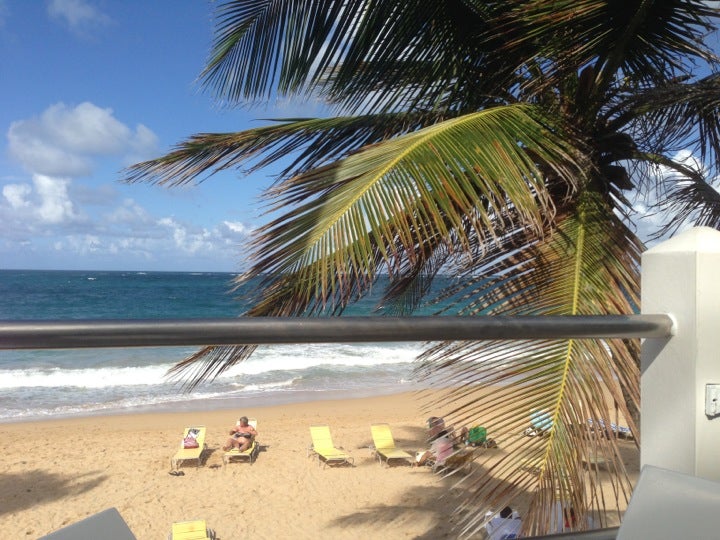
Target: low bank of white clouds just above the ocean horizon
column 41, row 220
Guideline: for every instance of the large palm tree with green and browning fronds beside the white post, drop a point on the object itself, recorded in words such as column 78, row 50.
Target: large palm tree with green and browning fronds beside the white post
column 495, row 141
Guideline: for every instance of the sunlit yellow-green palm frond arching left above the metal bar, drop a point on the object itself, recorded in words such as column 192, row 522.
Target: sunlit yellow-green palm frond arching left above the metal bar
column 421, row 185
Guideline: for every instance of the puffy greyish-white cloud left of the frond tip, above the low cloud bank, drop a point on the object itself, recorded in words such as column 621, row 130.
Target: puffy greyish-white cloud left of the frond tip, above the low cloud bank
column 63, row 141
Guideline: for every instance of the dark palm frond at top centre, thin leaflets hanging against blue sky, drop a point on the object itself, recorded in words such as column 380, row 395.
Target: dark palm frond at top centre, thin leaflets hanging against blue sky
column 362, row 56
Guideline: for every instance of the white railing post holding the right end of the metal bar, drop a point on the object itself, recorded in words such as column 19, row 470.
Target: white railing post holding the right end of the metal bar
column 680, row 278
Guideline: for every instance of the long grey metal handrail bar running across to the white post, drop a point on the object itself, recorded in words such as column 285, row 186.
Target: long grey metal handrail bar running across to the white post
column 75, row 334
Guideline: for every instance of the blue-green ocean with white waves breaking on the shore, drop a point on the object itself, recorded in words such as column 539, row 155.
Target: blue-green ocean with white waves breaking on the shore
column 42, row 384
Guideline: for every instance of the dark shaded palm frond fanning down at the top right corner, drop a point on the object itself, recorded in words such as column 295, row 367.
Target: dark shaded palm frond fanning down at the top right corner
column 644, row 41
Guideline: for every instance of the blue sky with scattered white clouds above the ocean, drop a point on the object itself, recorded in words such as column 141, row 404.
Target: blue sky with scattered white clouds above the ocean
column 90, row 87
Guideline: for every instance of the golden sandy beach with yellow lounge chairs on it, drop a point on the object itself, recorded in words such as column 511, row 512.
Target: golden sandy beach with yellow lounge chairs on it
column 55, row 473
